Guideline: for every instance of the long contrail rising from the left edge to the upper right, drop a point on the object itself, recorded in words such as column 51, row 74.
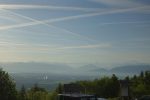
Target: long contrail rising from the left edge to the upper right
column 71, row 18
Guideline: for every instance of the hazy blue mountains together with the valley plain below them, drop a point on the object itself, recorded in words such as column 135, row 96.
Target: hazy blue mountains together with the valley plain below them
column 49, row 75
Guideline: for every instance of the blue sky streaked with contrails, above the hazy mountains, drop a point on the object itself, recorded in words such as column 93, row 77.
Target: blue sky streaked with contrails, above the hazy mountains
column 75, row 32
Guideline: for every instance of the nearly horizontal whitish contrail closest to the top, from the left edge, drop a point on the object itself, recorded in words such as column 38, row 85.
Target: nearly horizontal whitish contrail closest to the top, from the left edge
column 49, row 7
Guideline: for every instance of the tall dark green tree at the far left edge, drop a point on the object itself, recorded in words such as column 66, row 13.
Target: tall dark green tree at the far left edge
column 7, row 87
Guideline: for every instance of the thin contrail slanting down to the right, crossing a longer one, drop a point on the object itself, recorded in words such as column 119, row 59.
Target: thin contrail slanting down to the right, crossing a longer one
column 41, row 22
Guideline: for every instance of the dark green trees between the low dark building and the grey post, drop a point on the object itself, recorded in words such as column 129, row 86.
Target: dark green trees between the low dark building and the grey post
column 104, row 87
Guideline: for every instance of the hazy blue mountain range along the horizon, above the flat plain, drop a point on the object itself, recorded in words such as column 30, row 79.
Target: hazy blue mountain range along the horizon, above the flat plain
column 89, row 69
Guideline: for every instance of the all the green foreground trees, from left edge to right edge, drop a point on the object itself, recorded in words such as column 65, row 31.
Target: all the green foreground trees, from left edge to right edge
column 105, row 87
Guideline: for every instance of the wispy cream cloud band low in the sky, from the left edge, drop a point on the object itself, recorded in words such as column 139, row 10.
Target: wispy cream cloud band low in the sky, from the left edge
column 21, row 47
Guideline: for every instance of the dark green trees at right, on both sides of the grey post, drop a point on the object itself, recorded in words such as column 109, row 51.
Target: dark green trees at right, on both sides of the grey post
column 109, row 87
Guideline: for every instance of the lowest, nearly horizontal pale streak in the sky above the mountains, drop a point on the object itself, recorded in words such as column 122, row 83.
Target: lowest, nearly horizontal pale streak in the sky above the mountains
column 48, row 48
